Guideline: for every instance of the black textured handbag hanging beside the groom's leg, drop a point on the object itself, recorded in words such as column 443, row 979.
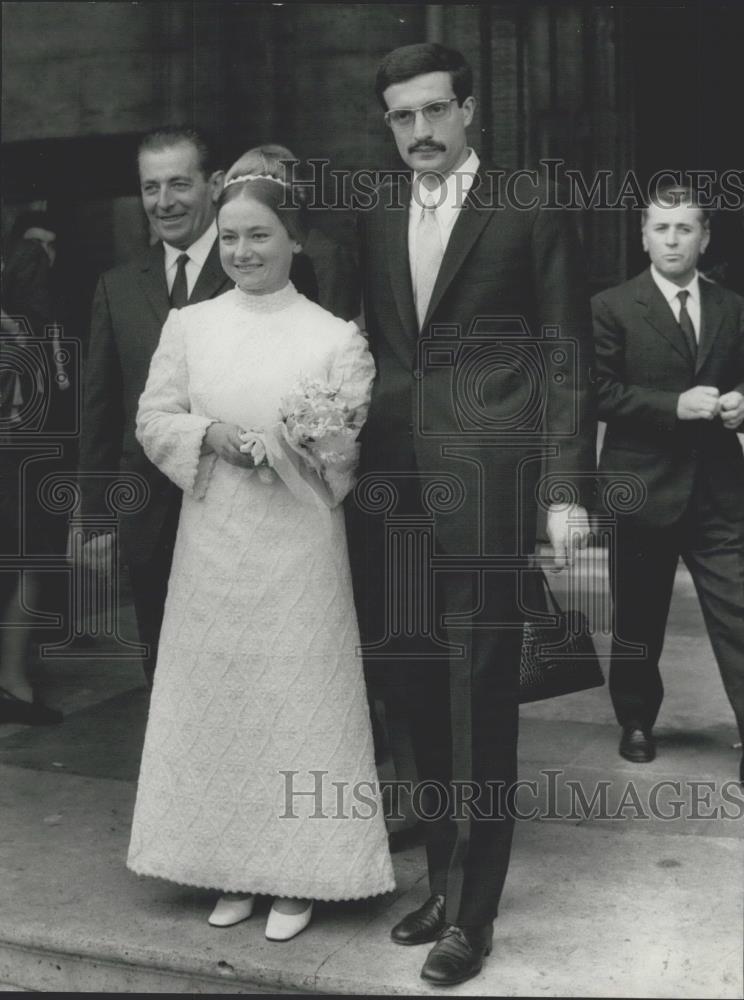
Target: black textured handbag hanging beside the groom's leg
column 557, row 659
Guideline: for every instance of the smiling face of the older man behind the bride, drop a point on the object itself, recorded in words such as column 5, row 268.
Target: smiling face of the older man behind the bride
column 177, row 197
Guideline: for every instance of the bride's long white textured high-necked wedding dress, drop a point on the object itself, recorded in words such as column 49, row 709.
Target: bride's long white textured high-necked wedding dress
column 259, row 695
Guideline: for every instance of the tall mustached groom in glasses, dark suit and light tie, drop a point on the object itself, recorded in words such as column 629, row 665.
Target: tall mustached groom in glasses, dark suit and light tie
column 478, row 319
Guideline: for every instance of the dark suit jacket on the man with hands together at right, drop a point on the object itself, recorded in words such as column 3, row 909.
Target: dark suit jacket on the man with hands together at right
column 643, row 365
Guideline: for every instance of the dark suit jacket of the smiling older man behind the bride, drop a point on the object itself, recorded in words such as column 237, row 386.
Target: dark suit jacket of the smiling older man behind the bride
column 129, row 309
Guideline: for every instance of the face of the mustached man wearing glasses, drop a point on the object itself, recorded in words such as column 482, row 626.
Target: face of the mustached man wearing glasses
column 439, row 146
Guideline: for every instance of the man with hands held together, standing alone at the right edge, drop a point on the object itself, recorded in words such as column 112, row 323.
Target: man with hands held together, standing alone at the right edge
column 670, row 361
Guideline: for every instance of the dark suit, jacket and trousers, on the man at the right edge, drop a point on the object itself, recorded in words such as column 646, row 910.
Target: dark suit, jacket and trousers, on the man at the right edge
column 692, row 472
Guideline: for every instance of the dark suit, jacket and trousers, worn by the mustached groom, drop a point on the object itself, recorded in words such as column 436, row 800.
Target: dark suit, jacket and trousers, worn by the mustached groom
column 462, row 403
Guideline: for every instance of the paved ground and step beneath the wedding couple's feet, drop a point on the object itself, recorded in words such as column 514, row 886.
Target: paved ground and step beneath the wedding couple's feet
column 624, row 905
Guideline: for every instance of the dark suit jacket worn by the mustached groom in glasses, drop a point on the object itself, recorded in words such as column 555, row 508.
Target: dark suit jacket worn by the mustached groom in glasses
column 476, row 391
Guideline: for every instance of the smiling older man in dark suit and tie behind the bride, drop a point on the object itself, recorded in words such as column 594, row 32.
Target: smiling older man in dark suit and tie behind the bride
column 179, row 186
